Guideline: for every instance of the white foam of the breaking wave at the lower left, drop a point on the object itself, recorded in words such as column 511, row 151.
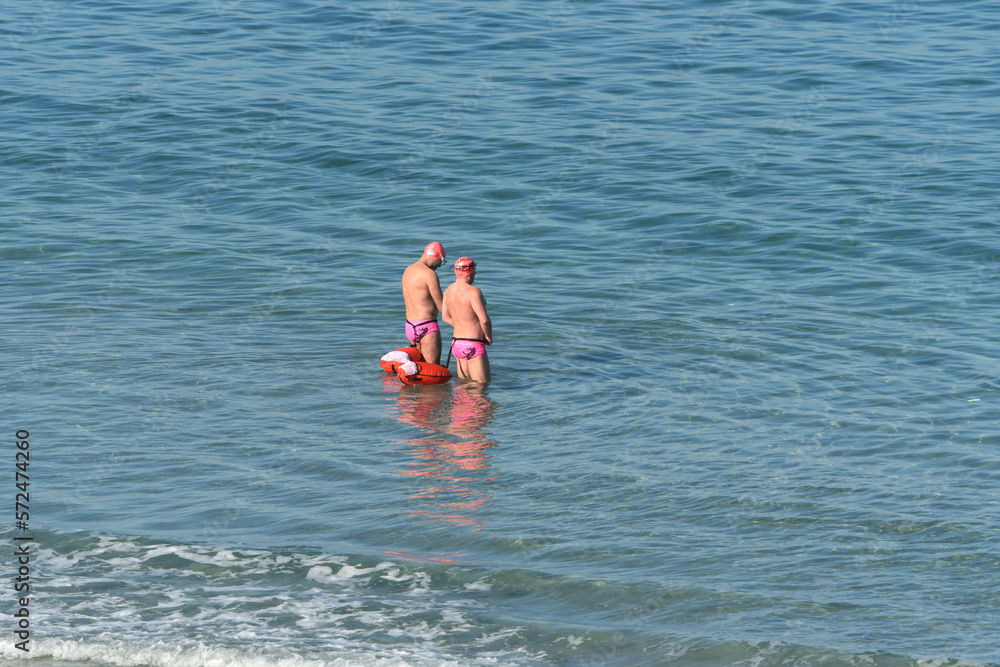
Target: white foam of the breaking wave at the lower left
column 262, row 607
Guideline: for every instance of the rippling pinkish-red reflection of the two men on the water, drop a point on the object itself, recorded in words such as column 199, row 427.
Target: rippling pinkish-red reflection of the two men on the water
column 451, row 458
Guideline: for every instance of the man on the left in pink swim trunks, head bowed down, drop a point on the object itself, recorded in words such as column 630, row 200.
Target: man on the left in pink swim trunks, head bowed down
column 423, row 299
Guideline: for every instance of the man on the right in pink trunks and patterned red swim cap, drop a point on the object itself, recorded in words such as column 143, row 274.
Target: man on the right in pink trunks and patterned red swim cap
column 465, row 310
